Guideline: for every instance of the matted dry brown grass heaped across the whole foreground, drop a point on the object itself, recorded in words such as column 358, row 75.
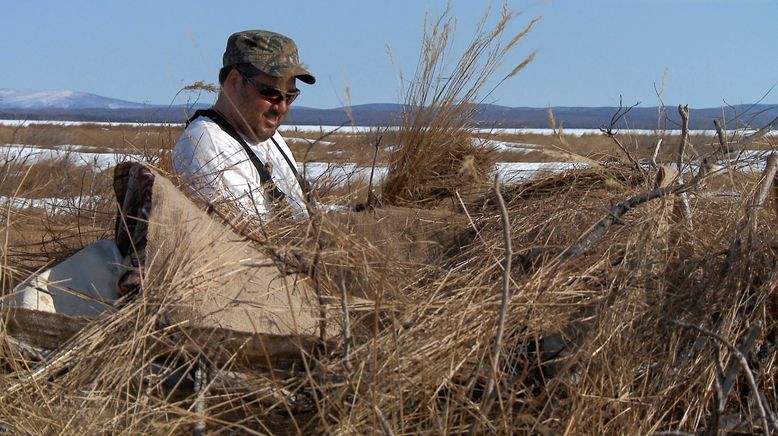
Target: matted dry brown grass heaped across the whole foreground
column 422, row 360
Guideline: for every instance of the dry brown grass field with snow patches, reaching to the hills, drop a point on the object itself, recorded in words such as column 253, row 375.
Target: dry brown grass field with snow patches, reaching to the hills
column 631, row 304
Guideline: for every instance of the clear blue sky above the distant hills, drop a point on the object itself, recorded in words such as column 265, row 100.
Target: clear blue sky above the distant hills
column 708, row 53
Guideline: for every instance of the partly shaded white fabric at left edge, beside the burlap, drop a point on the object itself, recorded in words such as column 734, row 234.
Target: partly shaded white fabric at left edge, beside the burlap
column 83, row 285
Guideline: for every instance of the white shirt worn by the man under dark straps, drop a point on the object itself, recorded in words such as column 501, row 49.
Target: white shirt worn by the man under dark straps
column 215, row 166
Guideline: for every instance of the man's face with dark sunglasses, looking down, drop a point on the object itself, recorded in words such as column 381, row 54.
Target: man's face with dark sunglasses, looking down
column 260, row 107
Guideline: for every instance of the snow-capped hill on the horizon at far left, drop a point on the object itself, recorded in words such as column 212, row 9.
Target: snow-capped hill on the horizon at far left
column 11, row 99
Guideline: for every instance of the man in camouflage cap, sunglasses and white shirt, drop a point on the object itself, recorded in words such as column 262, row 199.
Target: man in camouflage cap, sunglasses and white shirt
column 233, row 151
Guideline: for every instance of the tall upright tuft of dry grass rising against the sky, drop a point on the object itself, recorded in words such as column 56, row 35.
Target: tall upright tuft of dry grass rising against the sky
column 435, row 145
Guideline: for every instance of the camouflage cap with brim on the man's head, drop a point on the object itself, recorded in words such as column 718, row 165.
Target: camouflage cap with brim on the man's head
column 272, row 53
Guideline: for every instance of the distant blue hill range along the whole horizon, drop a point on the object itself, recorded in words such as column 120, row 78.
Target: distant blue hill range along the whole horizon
column 82, row 106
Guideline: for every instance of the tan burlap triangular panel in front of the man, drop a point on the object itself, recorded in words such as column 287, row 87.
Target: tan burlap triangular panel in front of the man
column 212, row 277
